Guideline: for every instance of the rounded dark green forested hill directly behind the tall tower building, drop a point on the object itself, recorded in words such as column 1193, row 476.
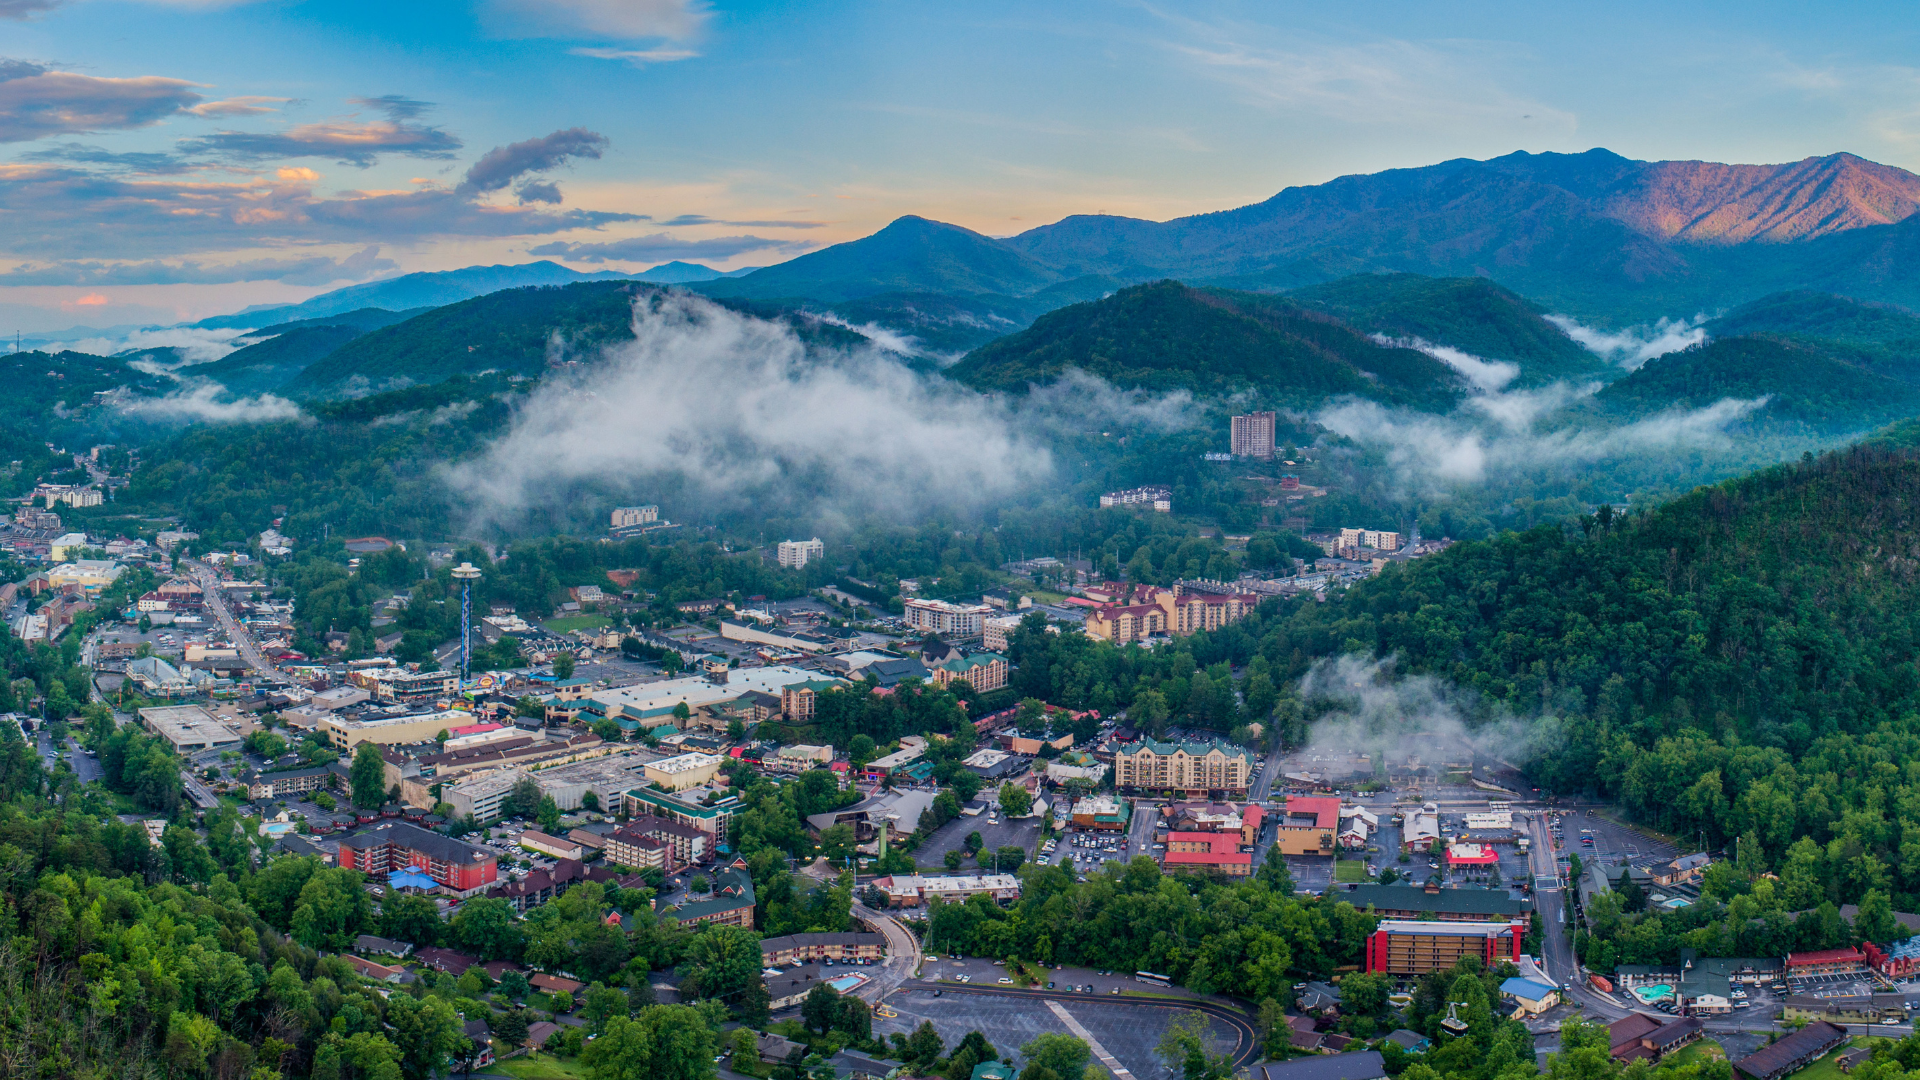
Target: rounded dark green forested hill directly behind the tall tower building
column 1166, row 337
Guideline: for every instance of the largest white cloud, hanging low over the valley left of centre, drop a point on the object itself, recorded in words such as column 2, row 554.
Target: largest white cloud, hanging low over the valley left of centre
column 738, row 408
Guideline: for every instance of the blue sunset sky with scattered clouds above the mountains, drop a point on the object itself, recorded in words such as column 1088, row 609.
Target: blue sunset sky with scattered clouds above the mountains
column 166, row 160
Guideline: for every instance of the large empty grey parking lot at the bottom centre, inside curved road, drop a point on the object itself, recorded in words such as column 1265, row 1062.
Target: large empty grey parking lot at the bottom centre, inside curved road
column 1128, row 1033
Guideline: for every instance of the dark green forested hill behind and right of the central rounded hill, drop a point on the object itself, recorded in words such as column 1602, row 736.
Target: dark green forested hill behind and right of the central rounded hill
column 1470, row 314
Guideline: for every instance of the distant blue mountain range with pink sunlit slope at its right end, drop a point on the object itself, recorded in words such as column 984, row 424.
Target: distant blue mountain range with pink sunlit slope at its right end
column 1596, row 235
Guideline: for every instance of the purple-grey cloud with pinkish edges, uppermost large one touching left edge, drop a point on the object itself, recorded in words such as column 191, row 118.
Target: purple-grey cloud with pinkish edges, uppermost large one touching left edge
column 37, row 101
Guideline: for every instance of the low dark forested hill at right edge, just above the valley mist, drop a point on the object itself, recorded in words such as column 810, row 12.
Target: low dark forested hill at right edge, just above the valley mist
column 1821, row 385
